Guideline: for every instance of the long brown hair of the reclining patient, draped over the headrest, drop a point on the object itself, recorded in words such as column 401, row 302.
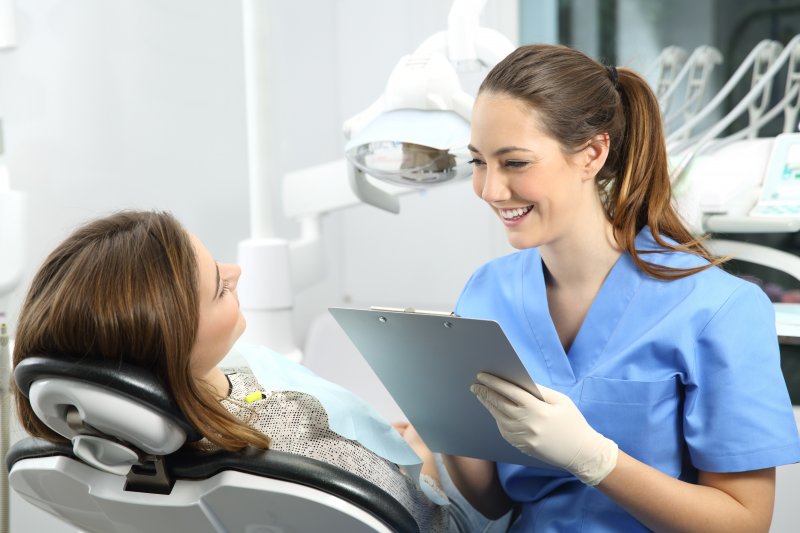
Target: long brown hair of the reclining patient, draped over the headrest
column 125, row 287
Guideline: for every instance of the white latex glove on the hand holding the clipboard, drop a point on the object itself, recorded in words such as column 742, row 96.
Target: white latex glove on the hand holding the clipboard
column 553, row 431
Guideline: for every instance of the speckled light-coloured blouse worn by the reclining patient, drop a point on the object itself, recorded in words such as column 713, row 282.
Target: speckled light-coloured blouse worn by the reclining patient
column 297, row 423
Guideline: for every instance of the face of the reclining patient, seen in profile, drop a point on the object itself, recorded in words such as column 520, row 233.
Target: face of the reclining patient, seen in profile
column 221, row 321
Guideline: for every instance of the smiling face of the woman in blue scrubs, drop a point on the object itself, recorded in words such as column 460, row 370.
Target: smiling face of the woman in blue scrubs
column 535, row 188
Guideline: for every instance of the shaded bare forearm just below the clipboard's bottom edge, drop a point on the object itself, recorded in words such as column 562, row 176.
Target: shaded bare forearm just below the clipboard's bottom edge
column 478, row 482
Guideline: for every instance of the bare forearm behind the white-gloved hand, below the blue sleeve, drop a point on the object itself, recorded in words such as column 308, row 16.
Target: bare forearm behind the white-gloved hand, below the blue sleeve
column 666, row 504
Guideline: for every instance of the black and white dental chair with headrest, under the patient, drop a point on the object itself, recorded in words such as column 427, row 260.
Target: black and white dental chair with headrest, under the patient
column 125, row 468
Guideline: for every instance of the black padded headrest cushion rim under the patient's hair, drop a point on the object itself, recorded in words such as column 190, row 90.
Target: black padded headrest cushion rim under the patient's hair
column 130, row 380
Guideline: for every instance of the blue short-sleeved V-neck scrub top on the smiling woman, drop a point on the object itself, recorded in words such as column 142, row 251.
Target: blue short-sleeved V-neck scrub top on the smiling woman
column 683, row 375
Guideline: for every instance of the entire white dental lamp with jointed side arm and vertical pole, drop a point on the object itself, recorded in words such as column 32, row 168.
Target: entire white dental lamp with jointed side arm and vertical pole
column 414, row 135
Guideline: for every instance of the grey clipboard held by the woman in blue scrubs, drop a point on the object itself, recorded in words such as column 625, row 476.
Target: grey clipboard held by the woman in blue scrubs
column 427, row 361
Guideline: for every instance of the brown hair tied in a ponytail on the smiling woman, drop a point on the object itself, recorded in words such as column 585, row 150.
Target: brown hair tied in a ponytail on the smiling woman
column 577, row 98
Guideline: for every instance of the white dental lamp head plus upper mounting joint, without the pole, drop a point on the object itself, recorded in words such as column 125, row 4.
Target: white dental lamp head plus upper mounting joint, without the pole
column 417, row 132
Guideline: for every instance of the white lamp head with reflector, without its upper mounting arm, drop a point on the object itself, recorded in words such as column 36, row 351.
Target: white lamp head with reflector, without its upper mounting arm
column 415, row 134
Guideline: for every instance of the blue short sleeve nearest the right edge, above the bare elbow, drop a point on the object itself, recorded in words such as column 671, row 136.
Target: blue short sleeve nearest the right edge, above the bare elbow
column 737, row 412
